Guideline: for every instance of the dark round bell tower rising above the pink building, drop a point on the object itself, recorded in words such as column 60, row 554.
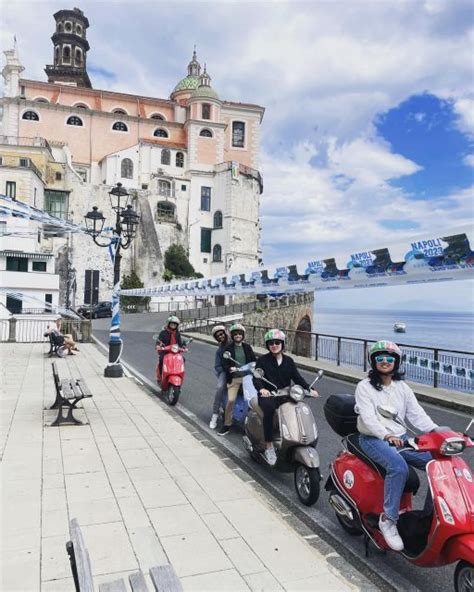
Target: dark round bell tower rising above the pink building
column 70, row 49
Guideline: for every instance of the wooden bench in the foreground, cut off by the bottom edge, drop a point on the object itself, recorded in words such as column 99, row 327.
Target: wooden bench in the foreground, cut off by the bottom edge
column 163, row 577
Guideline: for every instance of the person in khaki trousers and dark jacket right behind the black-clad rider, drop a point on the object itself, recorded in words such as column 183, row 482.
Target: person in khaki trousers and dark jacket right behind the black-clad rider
column 243, row 354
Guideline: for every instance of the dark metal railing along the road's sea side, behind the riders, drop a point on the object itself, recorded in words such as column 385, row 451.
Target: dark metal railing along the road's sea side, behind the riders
column 437, row 367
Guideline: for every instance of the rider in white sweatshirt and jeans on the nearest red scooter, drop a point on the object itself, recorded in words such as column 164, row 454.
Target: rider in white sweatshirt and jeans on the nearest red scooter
column 380, row 437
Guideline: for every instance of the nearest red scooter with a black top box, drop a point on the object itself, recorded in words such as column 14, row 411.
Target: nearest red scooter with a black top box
column 356, row 491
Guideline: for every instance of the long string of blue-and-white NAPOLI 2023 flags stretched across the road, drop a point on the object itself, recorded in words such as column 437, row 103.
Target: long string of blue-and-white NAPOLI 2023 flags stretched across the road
column 427, row 259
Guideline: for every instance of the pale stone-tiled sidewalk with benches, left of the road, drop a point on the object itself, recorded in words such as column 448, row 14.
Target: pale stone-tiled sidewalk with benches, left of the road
column 144, row 488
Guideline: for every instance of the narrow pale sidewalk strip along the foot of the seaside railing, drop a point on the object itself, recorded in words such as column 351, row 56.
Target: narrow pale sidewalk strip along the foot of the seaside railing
column 438, row 396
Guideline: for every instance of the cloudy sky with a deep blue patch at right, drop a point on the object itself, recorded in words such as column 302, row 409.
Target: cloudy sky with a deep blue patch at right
column 368, row 134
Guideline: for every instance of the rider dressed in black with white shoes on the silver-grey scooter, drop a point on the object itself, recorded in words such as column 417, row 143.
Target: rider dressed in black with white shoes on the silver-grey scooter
column 281, row 370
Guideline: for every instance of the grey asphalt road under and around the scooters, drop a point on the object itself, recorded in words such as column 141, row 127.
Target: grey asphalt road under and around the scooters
column 197, row 397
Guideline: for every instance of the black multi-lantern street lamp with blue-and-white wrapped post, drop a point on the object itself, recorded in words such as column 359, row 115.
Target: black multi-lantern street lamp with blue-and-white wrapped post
column 126, row 224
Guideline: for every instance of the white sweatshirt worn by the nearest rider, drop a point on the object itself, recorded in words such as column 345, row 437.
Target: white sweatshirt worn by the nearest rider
column 398, row 396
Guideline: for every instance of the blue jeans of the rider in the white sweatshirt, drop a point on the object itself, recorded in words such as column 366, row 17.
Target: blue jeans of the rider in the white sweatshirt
column 395, row 464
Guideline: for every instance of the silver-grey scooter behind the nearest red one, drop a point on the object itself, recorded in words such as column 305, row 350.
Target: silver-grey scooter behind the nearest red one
column 295, row 438
